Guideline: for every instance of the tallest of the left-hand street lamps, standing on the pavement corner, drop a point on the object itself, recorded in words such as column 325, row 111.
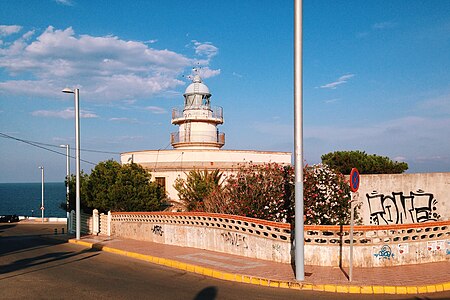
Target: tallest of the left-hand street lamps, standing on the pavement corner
column 77, row 158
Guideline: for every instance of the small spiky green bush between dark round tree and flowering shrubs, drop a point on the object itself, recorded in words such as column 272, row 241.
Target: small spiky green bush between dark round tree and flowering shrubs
column 193, row 190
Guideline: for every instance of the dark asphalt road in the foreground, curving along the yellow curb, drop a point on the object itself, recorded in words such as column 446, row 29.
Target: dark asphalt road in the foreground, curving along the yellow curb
column 36, row 264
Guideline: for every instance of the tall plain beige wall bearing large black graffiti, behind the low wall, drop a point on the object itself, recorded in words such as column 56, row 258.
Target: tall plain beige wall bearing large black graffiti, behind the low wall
column 404, row 198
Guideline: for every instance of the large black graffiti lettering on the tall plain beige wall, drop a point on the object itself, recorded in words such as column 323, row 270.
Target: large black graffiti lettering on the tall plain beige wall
column 417, row 207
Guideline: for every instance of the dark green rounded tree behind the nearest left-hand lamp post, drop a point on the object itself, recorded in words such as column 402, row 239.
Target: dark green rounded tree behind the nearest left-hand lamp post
column 113, row 187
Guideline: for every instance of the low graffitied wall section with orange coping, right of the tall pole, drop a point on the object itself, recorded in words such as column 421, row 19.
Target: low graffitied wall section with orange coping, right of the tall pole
column 378, row 246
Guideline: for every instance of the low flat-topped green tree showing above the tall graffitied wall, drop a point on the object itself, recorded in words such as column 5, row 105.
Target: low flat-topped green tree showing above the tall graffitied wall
column 344, row 161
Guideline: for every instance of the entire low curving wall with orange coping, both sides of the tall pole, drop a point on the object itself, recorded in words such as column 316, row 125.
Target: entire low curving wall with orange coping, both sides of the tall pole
column 374, row 246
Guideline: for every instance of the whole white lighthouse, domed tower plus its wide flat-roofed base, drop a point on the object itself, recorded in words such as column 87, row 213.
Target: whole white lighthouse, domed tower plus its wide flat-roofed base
column 197, row 144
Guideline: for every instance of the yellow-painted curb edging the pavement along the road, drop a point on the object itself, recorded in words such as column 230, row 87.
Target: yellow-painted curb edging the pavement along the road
column 333, row 288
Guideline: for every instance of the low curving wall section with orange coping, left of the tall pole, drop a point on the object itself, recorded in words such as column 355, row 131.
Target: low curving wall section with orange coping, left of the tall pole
column 229, row 234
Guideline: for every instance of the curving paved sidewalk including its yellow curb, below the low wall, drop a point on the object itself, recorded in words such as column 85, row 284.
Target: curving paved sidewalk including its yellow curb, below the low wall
column 410, row 279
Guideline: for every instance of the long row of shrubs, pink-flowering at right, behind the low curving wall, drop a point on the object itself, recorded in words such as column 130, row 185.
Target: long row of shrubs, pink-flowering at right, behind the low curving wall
column 267, row 192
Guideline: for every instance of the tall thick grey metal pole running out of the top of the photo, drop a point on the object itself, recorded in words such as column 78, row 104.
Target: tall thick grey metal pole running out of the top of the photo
column 298, row 143
